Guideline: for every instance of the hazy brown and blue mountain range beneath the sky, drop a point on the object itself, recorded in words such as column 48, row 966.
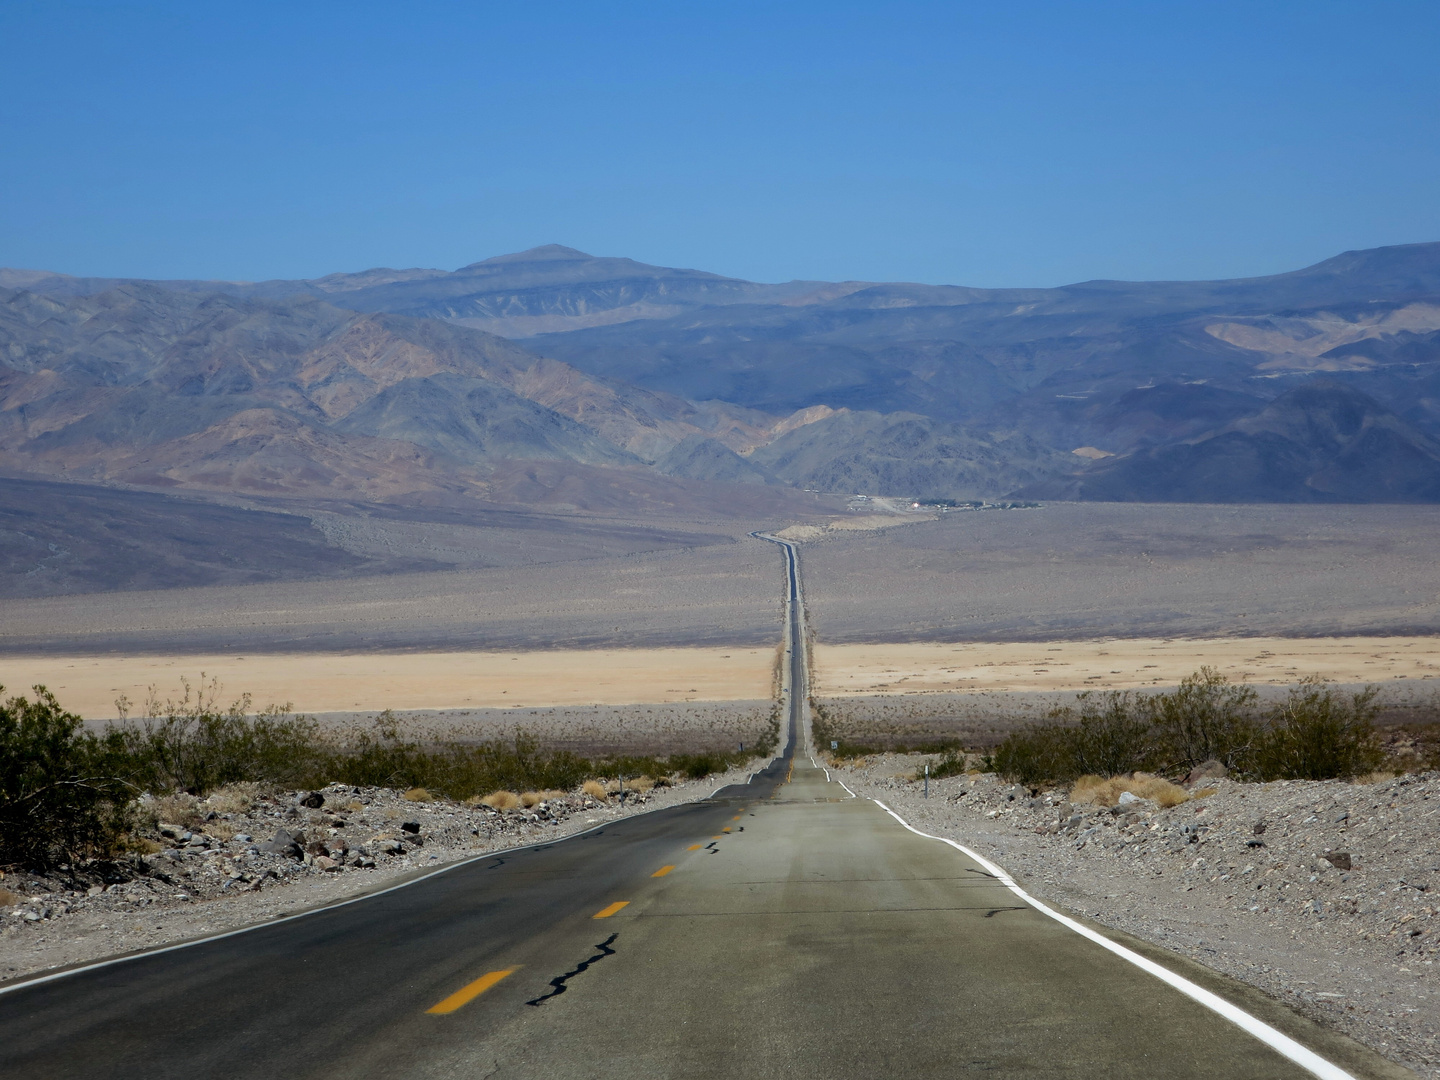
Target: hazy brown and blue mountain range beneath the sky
column 558, row 378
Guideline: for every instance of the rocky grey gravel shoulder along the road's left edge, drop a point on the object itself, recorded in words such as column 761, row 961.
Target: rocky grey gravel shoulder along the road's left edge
column 220, row 875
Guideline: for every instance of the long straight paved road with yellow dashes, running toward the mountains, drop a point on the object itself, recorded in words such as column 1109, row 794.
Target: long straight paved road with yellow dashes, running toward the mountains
column 780, row 930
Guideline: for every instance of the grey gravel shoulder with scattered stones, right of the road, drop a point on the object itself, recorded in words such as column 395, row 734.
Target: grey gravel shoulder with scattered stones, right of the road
column 1238, row 882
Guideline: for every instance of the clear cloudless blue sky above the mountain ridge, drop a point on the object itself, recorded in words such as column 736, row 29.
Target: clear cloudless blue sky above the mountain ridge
column 978, row 145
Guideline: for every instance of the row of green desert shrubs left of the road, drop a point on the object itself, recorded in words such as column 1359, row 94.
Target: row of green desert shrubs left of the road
column 67, row 794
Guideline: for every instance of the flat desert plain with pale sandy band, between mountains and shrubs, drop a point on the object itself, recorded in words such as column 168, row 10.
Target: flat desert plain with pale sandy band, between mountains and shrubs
column 974, row 611
